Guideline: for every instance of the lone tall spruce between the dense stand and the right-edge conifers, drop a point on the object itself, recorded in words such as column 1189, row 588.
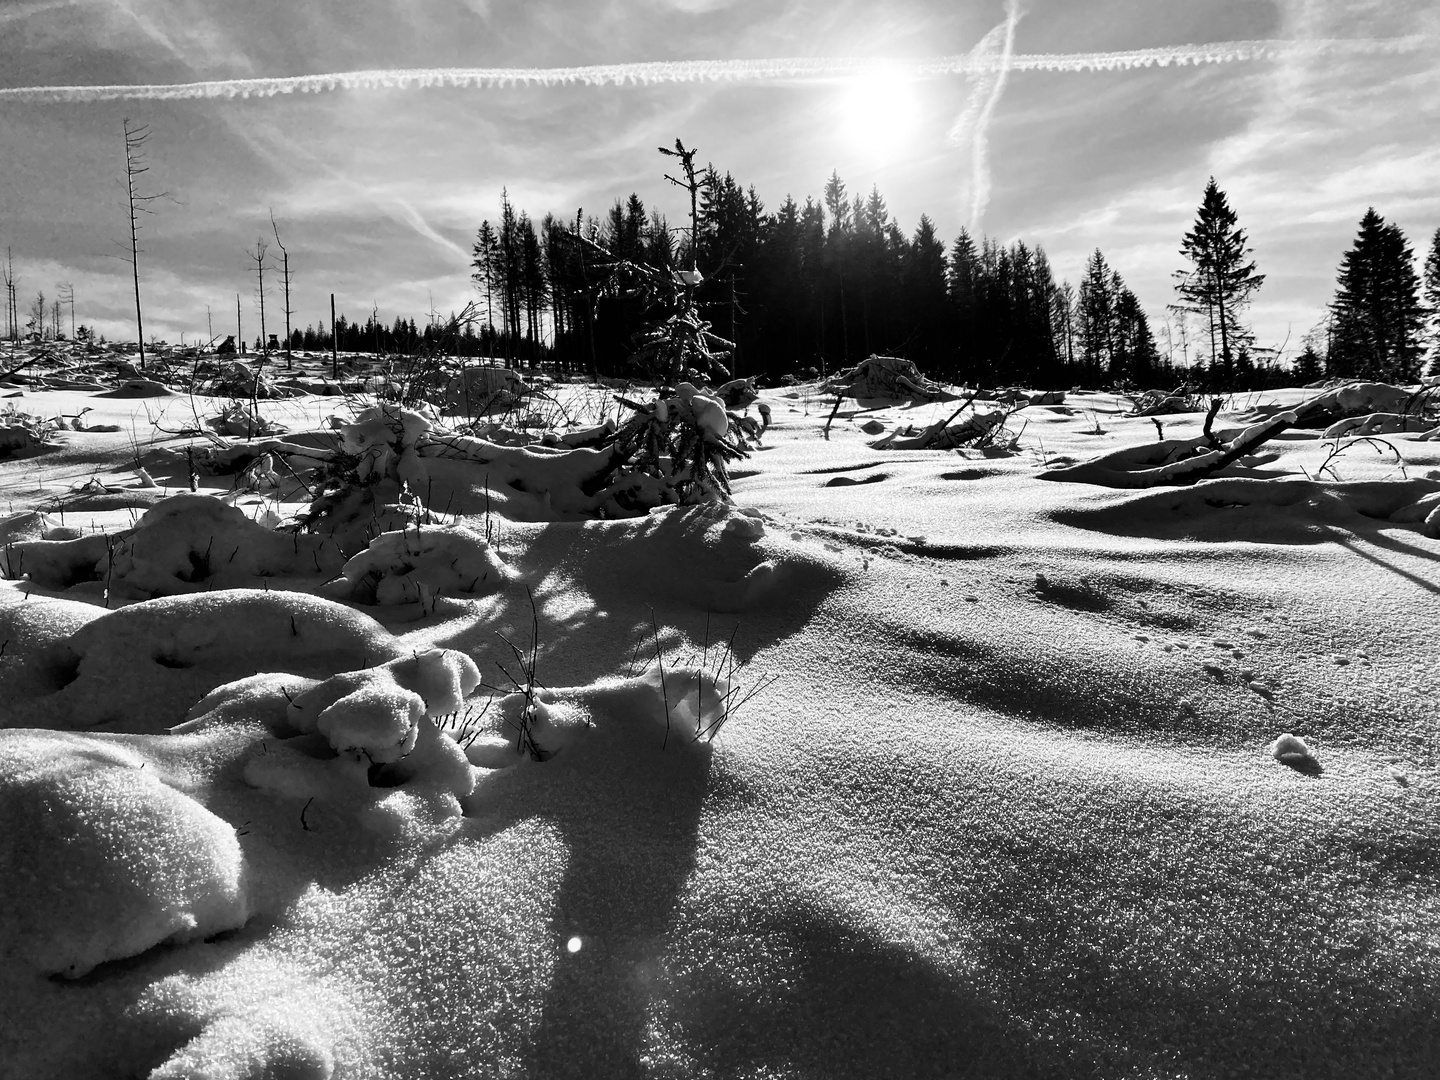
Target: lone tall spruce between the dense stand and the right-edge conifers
column 1223, row 280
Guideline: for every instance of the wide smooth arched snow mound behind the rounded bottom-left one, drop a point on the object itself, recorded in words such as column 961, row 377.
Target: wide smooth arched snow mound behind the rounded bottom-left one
column 140, row 669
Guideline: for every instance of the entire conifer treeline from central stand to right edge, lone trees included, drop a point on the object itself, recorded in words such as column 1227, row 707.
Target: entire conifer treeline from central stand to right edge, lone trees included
column 826, row 283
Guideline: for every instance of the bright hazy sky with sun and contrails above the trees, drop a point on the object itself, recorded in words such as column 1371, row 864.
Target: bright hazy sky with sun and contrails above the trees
column 981, row 114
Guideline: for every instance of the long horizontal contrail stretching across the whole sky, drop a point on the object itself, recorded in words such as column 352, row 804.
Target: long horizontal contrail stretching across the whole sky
column 793, row 70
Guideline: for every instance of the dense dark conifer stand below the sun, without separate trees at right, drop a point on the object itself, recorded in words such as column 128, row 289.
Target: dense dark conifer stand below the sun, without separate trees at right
column 816, row 284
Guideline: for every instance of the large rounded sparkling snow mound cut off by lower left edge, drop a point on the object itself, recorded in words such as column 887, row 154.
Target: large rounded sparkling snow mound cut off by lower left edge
column 103, row 859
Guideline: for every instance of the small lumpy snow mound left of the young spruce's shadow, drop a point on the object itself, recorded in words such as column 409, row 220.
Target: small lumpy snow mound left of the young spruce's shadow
column 417, row 565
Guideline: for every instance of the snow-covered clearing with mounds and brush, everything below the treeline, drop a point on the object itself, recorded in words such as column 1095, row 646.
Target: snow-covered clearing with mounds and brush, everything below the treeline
column 437, row 722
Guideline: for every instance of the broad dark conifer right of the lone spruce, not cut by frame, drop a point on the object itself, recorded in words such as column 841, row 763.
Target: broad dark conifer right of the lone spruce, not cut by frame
column 1379, row 316
